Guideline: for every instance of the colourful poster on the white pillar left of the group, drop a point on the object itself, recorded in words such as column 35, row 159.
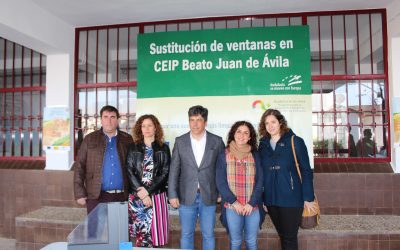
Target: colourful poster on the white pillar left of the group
column 56, row 128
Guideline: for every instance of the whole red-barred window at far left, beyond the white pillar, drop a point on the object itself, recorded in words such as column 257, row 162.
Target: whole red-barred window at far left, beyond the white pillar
column 22, row 98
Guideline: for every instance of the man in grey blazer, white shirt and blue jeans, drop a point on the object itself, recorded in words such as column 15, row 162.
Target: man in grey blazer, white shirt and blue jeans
column 191, row 182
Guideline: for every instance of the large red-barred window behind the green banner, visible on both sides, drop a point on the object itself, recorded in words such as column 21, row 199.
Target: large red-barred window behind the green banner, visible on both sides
column 349, row 75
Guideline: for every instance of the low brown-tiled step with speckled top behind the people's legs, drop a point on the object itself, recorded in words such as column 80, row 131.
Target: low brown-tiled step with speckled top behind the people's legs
column 370, row 232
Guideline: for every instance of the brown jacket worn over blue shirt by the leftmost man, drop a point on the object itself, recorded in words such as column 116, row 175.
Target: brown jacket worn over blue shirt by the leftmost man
column 88, row 167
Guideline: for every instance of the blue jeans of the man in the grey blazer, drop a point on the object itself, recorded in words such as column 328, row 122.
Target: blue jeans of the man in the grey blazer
column 188, row 218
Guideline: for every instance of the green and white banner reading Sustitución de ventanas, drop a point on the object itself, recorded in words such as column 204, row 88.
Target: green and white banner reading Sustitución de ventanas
column 236, row 73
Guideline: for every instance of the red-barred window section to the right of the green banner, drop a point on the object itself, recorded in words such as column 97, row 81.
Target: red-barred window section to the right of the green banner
column 350, row 116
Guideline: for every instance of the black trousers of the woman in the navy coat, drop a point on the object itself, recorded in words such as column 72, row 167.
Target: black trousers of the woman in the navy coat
column 287, row 222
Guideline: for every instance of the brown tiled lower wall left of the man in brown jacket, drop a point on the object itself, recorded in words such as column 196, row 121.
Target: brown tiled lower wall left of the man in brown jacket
column 26, row 190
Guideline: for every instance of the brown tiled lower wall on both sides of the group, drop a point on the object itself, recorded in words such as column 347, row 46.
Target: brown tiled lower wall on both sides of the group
column 339, row 193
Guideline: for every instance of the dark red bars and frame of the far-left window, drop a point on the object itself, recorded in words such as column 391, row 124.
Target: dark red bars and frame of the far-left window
column 32, row 89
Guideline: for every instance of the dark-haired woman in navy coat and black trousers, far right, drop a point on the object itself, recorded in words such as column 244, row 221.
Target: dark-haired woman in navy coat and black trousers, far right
column 284, row 194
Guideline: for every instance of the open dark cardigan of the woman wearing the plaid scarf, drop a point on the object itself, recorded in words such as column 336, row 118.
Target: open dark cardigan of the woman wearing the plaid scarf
column 228, row 196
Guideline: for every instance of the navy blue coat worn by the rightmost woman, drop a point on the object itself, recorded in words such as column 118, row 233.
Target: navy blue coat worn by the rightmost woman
column 282, row 186
